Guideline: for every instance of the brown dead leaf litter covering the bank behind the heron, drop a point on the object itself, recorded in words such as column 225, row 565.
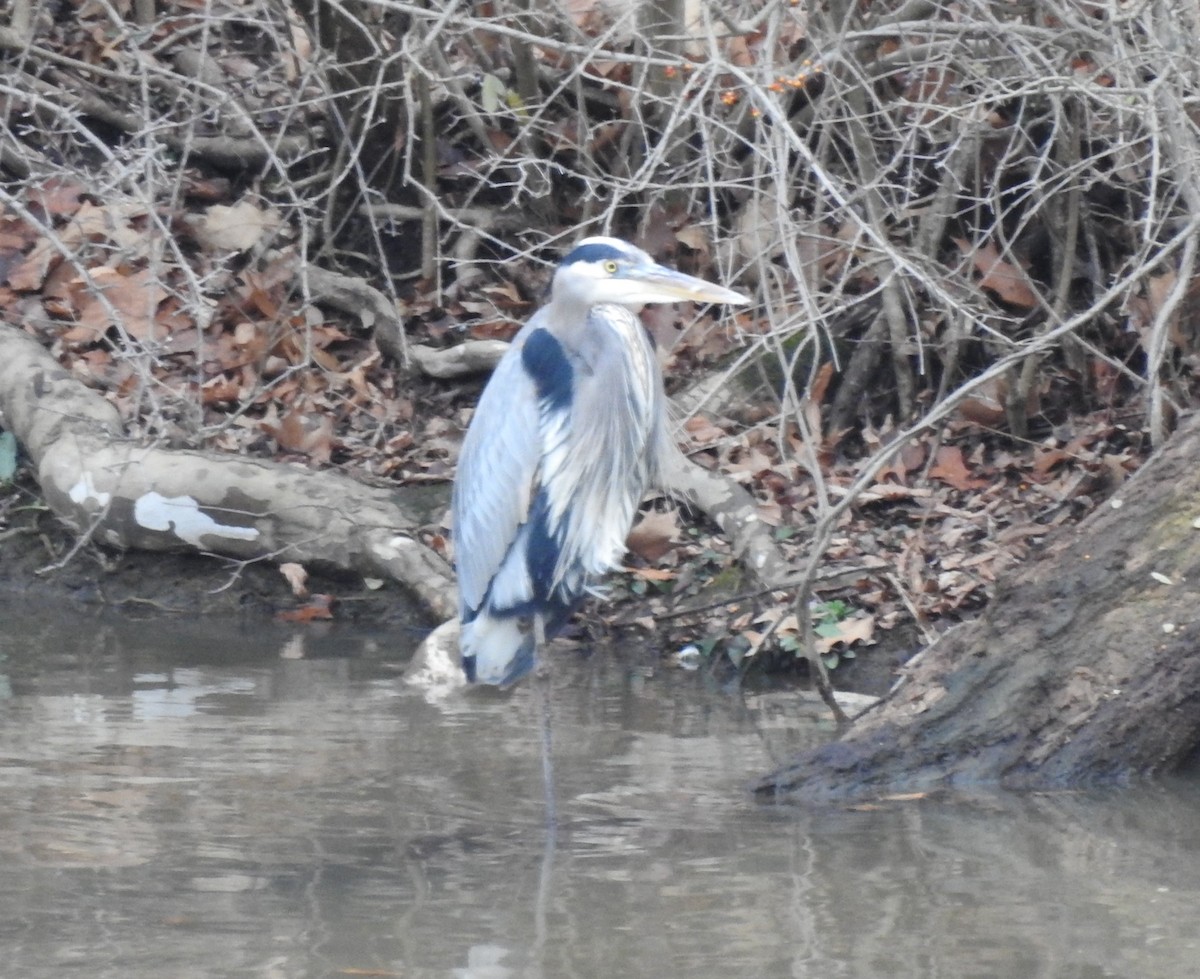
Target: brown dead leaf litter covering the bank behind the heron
column 256, row 370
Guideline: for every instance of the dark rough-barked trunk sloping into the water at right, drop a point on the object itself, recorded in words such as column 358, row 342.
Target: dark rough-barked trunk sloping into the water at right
column 1084, row 669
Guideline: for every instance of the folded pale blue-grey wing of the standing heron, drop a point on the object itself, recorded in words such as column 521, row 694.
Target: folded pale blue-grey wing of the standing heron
column 497, row 470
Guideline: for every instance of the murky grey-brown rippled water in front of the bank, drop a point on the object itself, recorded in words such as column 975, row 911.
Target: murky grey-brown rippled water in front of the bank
column 220, row 801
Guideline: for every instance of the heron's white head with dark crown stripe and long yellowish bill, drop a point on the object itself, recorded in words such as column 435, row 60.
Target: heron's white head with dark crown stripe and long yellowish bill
column 610, row 271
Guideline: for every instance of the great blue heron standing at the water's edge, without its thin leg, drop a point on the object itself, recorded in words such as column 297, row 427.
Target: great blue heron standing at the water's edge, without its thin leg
column 568, row 435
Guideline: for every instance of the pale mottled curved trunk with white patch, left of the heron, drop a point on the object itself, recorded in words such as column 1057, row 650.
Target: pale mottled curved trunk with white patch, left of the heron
column 127, row 495
